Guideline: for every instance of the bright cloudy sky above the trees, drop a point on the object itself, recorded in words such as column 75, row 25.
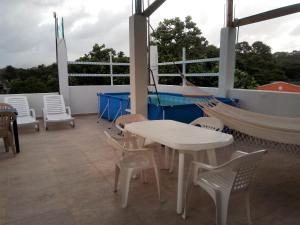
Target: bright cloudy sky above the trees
column 27, row 26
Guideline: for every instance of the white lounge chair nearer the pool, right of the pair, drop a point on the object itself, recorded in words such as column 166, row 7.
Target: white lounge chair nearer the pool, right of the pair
column 55, row 111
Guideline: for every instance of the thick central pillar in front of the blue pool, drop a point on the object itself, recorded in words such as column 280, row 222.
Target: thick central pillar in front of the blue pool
column 138, row 64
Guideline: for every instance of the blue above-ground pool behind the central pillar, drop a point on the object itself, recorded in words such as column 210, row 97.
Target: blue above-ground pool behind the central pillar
column 172, row 106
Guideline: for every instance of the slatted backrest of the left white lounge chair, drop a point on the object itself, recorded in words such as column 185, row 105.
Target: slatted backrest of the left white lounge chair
column 20, row 103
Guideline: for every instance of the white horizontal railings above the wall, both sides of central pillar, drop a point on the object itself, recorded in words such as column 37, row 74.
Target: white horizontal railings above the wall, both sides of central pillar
column 111, row 64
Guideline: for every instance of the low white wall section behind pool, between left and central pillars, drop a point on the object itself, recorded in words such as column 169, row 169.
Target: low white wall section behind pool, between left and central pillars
column 83, row 99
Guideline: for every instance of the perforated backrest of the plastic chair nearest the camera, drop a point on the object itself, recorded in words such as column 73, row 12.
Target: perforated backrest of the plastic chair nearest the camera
column 244, row 166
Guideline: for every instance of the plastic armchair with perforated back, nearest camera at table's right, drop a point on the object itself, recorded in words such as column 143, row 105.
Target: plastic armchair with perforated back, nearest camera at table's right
column 220, row 182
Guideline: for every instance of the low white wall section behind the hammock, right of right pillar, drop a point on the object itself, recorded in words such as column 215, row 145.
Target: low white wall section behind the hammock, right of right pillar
column 268, row 102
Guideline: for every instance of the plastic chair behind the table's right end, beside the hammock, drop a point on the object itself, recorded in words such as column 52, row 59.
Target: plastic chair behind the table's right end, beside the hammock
column 210, row 123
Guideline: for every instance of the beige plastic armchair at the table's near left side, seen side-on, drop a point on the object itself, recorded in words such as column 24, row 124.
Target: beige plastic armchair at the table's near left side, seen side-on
column 133, row 158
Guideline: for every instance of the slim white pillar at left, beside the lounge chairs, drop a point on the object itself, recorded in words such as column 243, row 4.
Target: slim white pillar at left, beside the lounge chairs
column 62, row 64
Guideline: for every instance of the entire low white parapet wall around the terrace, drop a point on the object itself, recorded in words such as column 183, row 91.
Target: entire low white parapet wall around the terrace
column 83, row 99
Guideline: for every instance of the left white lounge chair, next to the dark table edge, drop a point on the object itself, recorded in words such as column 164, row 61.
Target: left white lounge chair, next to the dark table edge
column 26, row 116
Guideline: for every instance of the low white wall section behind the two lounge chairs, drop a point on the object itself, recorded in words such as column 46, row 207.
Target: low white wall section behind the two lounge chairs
column 35, row 101
